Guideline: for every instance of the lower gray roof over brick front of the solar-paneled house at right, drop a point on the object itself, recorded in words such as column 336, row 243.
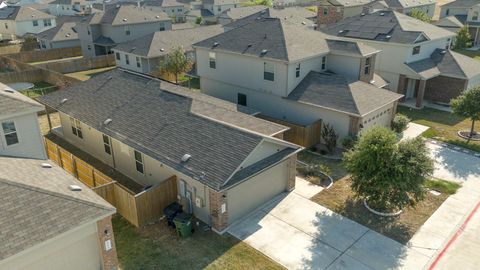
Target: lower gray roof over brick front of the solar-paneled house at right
column 446, row 62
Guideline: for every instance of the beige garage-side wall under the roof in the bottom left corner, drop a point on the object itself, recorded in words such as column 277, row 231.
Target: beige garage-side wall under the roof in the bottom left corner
column 76, row 250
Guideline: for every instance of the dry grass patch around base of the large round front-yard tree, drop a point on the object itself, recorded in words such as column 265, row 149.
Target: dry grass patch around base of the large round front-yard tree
column 340, row 199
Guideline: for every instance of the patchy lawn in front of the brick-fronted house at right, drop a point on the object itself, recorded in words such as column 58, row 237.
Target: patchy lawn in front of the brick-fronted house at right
column 443, row 125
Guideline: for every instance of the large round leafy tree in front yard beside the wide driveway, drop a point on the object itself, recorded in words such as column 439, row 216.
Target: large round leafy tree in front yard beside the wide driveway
column 389, row 175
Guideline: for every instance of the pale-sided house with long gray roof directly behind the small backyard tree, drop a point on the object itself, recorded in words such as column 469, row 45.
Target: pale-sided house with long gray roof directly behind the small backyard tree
column 145, row 54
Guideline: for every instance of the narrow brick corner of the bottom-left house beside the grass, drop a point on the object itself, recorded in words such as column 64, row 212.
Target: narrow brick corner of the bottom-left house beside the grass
column 109, row 258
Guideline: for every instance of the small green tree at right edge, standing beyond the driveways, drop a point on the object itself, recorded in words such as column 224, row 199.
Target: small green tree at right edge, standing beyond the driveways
column 468, row 105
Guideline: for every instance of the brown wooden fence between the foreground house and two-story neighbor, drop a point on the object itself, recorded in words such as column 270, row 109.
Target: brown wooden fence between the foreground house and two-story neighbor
column 302, row 135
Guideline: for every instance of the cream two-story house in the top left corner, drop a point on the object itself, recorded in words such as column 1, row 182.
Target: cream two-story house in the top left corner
column 17, row 21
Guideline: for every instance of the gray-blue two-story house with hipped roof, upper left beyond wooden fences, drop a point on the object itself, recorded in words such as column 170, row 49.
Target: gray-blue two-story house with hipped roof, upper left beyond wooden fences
column 101, row 31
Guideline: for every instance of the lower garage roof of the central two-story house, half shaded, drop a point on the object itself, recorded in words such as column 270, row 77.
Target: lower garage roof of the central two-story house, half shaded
column 335, row 92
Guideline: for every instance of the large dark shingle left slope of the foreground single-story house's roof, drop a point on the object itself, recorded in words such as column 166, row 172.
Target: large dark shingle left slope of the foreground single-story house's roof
column 158, row 123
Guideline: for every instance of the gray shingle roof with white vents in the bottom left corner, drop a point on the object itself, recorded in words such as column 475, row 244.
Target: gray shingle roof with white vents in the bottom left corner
column 37, row 204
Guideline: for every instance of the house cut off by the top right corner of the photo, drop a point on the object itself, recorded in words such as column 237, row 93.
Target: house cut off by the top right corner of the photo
column 462, row 13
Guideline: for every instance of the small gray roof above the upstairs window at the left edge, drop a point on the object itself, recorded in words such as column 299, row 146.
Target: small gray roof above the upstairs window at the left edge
column 13, row 103
